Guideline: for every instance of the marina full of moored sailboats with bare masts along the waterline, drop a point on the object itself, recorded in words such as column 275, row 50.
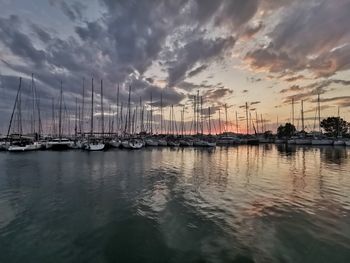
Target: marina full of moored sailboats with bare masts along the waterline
column 133, row 133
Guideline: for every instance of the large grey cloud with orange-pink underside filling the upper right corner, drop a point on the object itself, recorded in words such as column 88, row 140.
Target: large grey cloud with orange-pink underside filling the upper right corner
column 293, row 48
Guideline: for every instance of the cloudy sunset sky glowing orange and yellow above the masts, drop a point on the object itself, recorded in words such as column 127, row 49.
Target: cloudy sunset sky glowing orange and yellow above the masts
column 264, row 52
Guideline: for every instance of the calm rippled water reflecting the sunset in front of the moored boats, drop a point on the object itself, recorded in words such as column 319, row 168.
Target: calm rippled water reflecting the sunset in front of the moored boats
column 240, row 204
